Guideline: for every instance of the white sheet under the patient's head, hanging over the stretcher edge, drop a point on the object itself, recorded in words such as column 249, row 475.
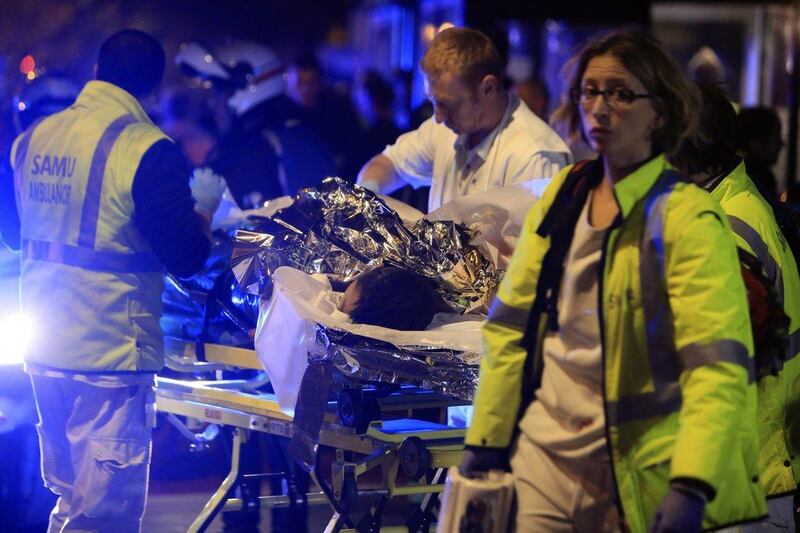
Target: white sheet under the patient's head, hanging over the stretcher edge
column 285, row 330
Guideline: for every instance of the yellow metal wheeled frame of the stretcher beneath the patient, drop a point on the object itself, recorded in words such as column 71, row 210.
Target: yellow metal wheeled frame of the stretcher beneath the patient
column 422, row 451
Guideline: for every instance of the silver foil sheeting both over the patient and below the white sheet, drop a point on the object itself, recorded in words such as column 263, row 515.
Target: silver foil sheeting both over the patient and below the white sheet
column 342, row 230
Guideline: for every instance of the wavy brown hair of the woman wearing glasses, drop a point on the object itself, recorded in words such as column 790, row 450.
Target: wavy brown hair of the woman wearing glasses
column 675, row 97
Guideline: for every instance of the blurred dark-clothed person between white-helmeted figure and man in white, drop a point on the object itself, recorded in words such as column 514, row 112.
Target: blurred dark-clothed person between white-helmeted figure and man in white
column 330, row 115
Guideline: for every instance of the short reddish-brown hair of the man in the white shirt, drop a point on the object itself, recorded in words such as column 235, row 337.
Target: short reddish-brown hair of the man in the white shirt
column 464, row 52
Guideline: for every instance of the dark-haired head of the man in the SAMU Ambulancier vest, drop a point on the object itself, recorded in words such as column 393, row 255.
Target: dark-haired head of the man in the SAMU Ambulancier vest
column 132, row 60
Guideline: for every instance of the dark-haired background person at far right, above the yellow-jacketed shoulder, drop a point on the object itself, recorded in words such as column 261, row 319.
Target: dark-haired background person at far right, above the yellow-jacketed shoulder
column 761, row 145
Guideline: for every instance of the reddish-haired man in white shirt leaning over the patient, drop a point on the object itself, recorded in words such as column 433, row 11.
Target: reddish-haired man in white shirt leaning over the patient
column 480, row 137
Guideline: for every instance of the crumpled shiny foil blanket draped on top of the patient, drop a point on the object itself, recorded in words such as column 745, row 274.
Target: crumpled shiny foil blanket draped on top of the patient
column 342, row 229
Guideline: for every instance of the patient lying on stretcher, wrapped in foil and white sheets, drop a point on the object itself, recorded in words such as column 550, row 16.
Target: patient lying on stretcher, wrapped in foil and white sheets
column 337, row 278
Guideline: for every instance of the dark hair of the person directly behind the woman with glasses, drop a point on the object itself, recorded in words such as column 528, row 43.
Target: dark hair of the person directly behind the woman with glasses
column 713, row 147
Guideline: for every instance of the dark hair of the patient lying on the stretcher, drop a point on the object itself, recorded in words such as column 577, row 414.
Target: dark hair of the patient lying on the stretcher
column 396, row 298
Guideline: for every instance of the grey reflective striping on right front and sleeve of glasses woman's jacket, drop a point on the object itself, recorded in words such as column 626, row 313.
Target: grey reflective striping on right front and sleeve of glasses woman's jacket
column 666, row 362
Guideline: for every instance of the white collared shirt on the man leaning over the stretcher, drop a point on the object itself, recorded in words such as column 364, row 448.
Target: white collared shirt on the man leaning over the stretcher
column 522, row 148
